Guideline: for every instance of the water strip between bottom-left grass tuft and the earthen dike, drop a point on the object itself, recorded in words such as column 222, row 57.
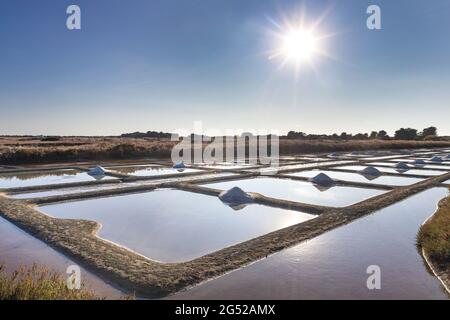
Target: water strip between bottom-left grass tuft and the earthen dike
column 18, row 248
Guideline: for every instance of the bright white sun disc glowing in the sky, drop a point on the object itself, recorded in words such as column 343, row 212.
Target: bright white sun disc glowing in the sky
column 299, row 45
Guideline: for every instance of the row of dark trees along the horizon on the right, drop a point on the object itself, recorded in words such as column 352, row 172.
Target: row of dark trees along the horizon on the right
column 429, row 133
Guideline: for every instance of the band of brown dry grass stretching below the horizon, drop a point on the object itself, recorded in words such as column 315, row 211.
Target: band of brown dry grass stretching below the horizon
column 19, row 150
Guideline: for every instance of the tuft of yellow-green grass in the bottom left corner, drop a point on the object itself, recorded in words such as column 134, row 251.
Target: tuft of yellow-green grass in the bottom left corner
column 38, row 283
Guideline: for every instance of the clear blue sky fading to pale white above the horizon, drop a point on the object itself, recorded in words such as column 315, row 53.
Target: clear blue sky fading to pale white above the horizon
column 142, row 65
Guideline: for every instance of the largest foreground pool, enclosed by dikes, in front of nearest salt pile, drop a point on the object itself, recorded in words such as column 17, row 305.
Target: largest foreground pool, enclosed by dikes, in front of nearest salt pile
column 173, row 225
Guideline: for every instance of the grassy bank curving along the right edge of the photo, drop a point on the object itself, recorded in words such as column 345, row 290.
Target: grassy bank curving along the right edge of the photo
column 434, row 241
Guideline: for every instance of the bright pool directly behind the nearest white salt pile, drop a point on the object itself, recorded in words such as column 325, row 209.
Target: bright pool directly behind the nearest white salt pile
column 300, row 191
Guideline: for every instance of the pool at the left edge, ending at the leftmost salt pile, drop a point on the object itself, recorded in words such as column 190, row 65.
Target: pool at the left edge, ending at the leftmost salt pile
column 18, row 180
